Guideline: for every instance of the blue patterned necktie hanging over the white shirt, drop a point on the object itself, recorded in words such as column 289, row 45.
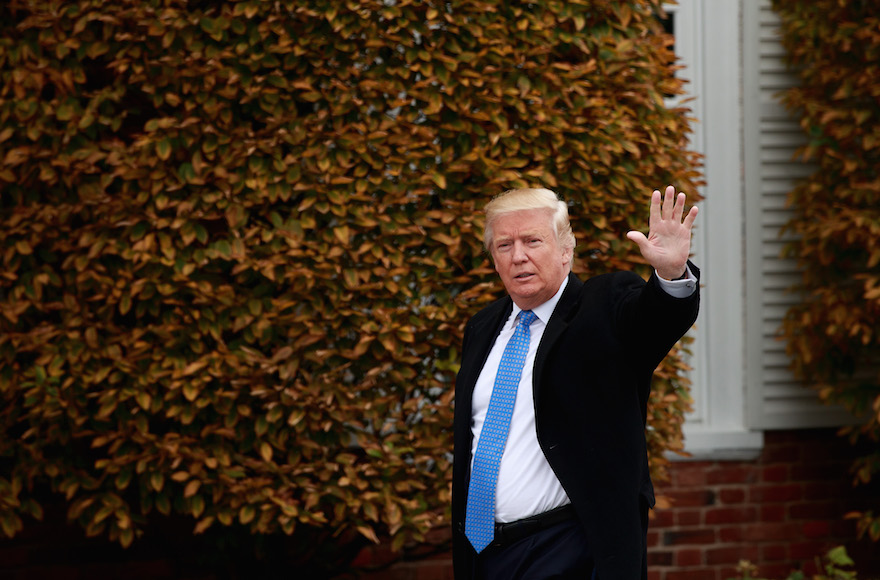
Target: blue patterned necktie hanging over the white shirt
column 479, row 523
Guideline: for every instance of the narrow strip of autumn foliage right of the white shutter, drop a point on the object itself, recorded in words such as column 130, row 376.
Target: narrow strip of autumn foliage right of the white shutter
column 834, row 335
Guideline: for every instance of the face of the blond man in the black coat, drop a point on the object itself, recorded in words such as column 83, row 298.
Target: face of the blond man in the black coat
column 528, row 257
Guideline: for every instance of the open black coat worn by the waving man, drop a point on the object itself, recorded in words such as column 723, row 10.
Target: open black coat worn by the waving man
column 592, row 377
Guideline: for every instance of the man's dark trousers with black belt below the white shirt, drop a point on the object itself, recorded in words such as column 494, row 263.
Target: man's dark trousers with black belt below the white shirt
column 559, row 552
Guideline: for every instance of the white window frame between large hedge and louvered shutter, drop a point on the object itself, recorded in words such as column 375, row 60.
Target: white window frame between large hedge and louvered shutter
column 708, row 44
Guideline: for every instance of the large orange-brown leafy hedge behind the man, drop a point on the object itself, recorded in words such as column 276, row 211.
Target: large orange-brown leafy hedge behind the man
column 240, row 241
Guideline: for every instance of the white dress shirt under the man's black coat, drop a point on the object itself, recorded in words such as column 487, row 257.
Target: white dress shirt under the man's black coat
column 526, row 483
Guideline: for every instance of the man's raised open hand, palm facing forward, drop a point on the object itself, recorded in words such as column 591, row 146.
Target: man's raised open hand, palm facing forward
column 668, row 243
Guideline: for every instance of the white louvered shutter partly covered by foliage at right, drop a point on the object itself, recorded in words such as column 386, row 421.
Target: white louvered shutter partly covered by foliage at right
column 775, row 400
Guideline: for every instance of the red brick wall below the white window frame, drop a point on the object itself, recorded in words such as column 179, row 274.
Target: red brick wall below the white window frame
column 779, row 511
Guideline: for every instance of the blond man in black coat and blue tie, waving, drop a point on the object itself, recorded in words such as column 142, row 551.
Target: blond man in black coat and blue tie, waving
column 550, row 475
